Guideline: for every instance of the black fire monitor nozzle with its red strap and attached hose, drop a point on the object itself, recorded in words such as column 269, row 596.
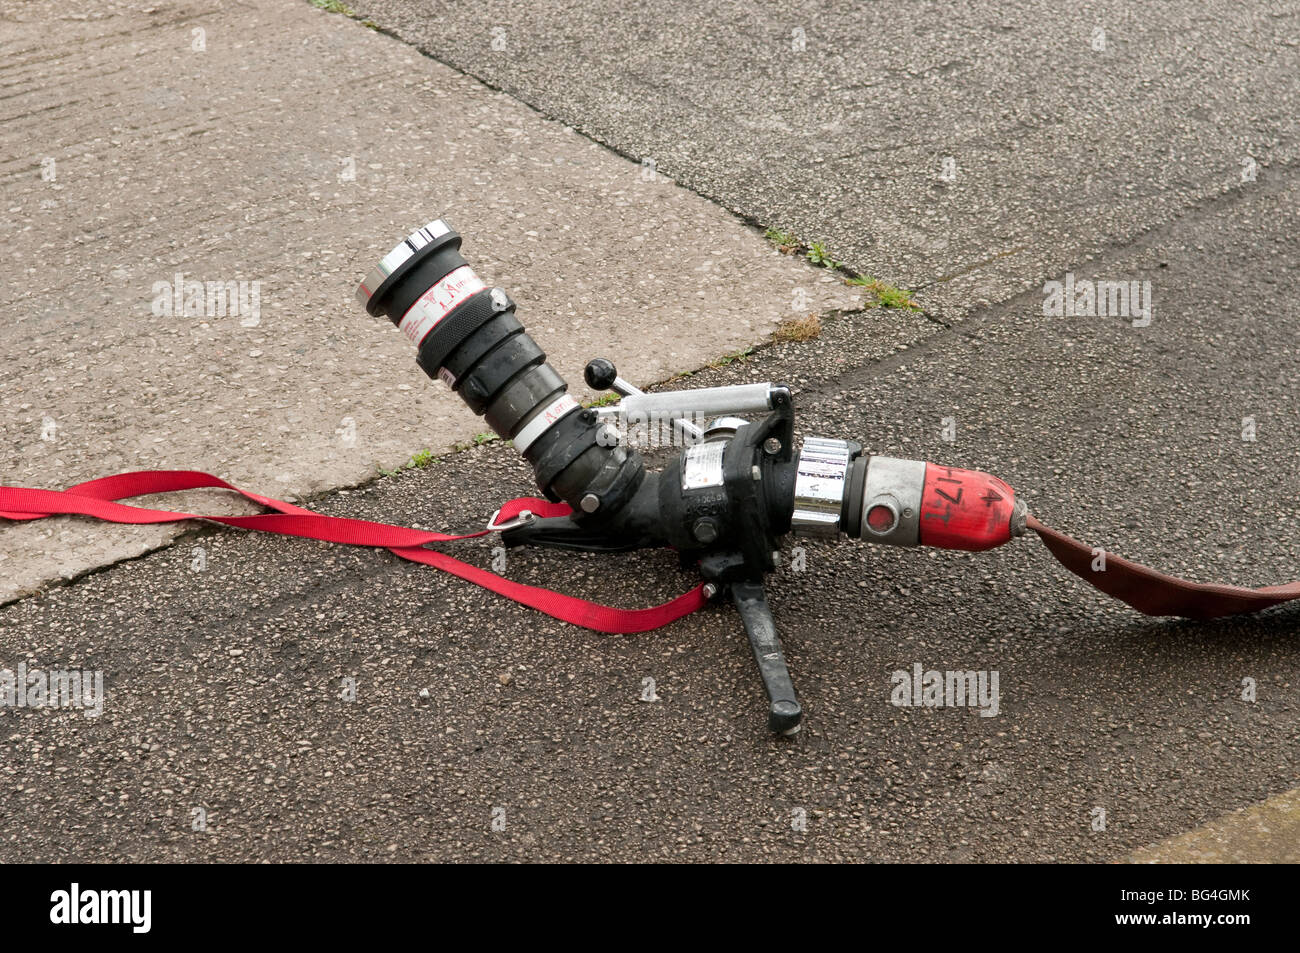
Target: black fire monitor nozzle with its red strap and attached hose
column 723, row 504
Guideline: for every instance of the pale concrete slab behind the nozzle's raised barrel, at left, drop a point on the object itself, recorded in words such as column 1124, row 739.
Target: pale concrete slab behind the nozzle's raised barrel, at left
column 272, row 153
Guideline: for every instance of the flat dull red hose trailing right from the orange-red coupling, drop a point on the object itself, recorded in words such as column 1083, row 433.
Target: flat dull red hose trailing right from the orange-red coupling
column 1156, row 594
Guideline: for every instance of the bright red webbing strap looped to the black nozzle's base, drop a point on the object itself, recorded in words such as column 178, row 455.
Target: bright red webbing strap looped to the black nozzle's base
column 98, row 499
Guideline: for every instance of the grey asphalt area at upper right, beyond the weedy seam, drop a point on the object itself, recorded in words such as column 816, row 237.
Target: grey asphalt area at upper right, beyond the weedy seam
column 834, row 120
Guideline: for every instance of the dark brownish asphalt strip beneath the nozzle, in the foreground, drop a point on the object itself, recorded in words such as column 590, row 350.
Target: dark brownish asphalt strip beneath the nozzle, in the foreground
column 224, row 686
